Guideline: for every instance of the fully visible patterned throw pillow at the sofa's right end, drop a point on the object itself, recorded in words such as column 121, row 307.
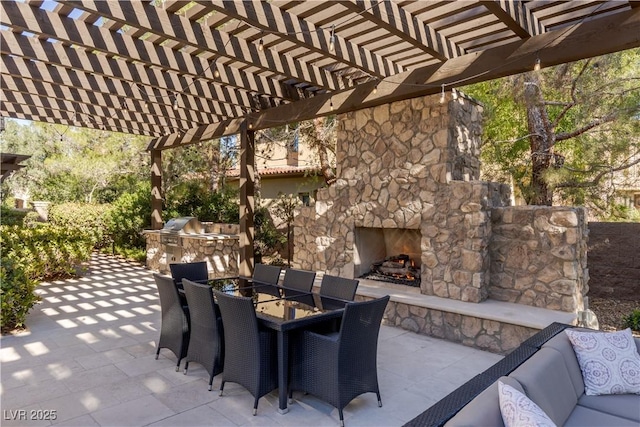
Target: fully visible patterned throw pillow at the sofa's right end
column 609, row 361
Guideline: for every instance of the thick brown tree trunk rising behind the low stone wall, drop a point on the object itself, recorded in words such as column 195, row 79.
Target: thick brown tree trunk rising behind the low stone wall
column 542, row 140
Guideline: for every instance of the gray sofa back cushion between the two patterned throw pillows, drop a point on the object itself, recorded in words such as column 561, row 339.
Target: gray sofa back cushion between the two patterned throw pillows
column 547, row 382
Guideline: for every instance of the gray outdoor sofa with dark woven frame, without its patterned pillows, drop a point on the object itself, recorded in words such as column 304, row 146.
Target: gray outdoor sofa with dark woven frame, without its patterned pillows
column 544, row 368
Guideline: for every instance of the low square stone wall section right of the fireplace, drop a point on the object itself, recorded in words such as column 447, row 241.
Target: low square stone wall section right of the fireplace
column 539, row 256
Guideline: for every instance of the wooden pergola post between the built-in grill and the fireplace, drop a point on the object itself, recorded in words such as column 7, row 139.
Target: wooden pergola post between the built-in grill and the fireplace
column 247, row 200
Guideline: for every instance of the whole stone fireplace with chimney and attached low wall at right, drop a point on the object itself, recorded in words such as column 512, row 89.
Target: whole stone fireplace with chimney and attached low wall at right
column 411, row 168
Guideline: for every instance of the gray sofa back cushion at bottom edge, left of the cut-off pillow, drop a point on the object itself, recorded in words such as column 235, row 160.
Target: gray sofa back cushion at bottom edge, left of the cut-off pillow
column 484, row 410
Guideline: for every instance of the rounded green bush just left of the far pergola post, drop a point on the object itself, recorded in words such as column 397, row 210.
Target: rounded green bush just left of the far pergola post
column 130, row 214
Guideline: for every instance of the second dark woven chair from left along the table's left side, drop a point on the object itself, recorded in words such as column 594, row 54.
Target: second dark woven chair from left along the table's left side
column 206, row 345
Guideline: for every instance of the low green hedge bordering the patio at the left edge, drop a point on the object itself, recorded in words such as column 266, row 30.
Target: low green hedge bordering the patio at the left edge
column 30, row 255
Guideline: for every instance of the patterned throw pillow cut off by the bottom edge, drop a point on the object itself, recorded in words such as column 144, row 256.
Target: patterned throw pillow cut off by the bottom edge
column 519, row 411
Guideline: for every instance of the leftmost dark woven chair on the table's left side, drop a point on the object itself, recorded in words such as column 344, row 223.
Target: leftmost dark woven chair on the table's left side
column 174, row 330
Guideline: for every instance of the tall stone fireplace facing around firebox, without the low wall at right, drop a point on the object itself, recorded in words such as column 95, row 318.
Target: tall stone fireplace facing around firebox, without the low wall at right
column 408, row 165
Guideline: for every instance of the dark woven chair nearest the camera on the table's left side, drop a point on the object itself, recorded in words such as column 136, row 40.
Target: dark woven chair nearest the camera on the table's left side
column 250, row 353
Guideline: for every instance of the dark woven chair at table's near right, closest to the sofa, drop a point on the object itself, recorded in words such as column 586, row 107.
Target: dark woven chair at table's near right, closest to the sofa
column 341, row 366
